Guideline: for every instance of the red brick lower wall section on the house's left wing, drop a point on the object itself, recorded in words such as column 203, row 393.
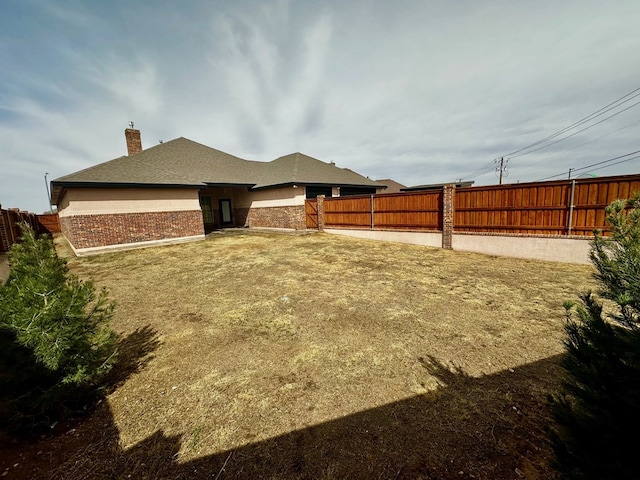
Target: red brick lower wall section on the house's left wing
column 87, row 231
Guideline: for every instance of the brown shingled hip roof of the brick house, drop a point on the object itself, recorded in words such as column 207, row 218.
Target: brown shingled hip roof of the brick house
column 185, row 163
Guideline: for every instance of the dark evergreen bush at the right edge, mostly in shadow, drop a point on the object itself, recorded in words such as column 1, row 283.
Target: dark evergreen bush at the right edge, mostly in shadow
column 597, row 412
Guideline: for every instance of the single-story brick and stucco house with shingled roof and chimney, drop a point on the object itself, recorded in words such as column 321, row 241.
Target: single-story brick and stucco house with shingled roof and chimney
column 179, row 190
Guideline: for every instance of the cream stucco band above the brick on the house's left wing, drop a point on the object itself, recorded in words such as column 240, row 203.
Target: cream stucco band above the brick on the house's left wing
column 97, row 201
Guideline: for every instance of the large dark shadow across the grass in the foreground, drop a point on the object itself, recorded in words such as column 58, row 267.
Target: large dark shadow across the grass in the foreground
column 490, row 427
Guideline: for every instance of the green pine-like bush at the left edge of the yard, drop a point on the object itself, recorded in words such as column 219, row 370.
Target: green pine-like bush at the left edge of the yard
column 55, row 341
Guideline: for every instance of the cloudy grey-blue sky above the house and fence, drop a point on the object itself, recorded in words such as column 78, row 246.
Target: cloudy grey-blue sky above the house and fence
column 417, row 91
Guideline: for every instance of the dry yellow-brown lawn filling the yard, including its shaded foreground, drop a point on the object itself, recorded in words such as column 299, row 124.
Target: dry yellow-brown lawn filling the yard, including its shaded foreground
column 267, row 355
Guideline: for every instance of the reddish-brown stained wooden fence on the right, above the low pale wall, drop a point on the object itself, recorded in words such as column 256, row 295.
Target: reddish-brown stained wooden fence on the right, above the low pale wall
column 565, row 207
